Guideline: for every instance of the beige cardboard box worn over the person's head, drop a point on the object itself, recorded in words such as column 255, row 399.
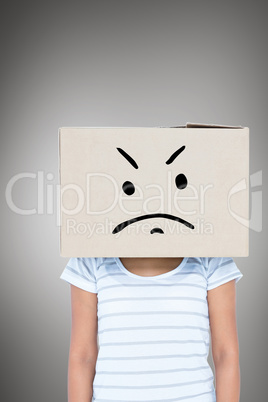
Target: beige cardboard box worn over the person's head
column 188, row 185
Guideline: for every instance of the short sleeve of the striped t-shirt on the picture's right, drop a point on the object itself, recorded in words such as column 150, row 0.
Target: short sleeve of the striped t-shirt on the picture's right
column 221, row 270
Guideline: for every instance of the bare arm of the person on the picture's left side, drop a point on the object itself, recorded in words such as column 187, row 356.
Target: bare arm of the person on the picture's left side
column 83, row 346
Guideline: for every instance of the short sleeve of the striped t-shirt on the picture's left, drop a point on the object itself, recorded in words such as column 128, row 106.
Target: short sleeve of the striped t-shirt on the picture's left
column 81, row 273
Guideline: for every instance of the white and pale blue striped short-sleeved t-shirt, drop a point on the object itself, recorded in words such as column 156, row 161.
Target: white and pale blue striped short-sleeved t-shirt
column 153, row 331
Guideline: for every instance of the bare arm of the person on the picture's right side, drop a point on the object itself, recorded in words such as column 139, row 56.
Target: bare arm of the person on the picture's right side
column 224, row 340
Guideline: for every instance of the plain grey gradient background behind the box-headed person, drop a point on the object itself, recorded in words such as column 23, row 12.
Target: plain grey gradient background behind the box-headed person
column 116, row 63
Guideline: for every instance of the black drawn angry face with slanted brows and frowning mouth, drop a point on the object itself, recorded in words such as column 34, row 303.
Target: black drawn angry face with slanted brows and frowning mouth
column 129, row 189
